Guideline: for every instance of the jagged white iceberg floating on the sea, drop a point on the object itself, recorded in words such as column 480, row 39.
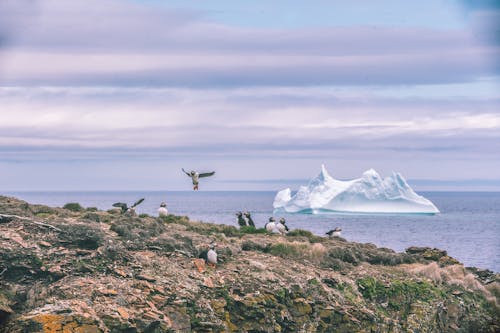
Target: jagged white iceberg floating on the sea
column 370, row 194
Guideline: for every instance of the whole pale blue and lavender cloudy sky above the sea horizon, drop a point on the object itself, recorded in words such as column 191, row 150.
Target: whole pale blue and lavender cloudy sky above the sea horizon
column 120, row 95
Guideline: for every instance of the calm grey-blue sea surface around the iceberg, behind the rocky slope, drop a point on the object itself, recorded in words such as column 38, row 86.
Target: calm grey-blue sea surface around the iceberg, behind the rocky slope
column 468, row 226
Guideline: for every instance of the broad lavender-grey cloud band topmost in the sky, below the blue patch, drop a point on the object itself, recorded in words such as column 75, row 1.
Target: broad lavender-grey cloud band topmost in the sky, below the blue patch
column 132, row 45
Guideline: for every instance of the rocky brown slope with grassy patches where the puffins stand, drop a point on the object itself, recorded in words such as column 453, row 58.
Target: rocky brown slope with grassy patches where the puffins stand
column 83, row 270
